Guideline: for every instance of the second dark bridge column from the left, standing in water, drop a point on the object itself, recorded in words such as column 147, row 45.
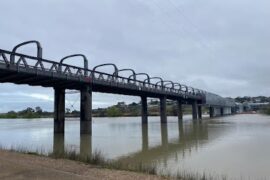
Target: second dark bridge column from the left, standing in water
column 86, row 111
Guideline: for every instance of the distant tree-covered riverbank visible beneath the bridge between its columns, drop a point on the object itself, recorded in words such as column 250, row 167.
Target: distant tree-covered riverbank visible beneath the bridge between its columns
column 119, row 110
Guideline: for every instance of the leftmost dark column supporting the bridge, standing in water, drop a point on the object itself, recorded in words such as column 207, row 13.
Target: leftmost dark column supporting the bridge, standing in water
column 59, row 110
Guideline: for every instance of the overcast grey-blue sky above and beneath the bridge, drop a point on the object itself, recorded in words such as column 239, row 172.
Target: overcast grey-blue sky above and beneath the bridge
column 218, row 46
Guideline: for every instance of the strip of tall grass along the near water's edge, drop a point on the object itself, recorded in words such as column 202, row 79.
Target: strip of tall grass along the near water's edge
column 98, row 160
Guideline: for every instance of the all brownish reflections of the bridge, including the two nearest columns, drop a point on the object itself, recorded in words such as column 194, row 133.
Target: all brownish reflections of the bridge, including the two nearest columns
column 191, row 135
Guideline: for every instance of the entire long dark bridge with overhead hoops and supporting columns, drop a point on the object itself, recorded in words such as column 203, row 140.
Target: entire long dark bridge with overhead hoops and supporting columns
column 20, row 68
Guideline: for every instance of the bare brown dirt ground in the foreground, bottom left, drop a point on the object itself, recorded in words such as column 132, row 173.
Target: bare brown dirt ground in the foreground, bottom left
column 15, row 165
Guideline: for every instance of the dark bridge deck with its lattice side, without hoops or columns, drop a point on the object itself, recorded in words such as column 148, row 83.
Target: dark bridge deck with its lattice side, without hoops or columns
column 40, row 72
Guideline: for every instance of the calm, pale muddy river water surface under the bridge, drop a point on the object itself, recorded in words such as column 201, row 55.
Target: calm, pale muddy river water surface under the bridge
column 237, row 146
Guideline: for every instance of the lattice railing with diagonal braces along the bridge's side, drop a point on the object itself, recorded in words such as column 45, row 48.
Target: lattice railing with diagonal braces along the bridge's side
column 36, row 64
